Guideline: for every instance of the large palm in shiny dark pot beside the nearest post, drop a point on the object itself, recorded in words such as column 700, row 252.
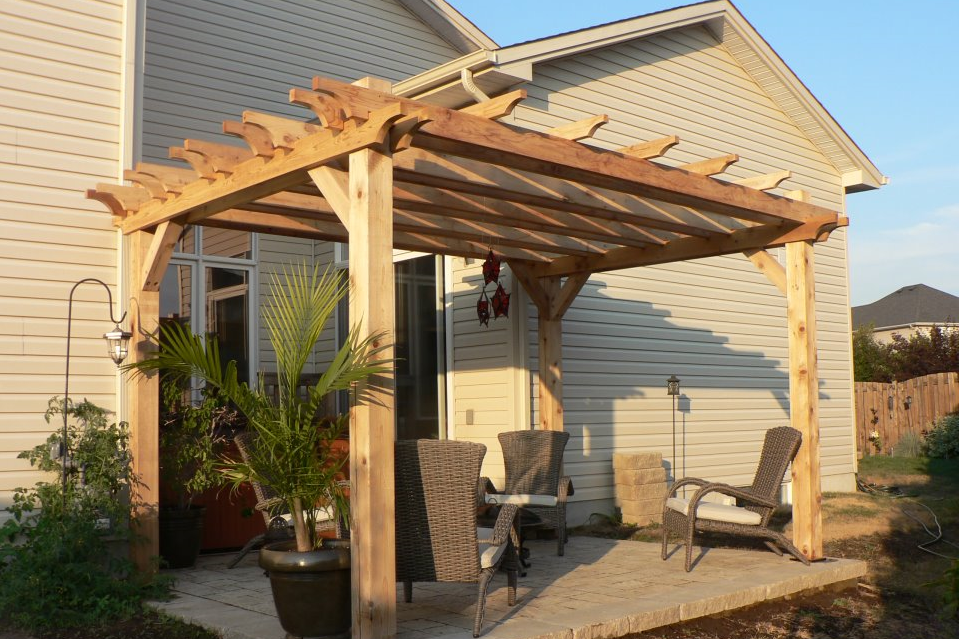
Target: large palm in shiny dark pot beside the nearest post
column 289, row 450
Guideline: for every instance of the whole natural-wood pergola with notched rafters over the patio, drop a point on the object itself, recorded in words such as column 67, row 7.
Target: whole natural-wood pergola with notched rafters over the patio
column 384, row 172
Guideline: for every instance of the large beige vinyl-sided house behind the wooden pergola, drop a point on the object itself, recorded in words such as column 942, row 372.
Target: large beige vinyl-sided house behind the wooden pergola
column 103, row 89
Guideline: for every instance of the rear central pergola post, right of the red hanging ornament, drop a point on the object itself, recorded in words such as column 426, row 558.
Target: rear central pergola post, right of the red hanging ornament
column 551, row 361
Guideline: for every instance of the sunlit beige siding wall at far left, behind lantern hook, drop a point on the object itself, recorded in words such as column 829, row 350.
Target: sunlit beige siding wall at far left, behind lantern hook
column 60, row 100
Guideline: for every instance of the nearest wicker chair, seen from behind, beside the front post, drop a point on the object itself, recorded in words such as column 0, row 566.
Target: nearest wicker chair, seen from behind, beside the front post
column 436, row 534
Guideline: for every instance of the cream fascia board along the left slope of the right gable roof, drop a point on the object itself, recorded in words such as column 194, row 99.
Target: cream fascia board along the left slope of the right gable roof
column 609, row 34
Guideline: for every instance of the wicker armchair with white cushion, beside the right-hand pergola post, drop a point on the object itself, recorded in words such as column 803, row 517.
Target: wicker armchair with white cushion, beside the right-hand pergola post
column 756, row 503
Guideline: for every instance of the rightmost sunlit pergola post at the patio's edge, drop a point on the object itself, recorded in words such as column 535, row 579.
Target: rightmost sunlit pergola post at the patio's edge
column 804, row 397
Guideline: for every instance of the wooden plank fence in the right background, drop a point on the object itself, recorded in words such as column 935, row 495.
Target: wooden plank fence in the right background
column 895, row 409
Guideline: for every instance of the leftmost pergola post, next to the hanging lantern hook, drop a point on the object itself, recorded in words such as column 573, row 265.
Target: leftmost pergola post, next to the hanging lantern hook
column 143, row 413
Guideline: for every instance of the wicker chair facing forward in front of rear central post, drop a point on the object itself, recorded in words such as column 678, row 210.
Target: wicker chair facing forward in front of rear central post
column 534, row 461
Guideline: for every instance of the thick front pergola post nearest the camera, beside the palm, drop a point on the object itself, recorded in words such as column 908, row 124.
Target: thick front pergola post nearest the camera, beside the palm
column 372, row 430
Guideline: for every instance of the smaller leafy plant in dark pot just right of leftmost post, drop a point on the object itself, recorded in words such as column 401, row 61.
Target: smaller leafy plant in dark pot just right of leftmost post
column 193, row 438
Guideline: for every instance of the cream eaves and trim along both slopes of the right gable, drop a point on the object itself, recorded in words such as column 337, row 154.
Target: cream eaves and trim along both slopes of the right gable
column 494, row 71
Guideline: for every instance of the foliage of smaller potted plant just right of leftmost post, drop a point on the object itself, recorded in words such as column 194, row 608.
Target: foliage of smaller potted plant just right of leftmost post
column 193, row 437
